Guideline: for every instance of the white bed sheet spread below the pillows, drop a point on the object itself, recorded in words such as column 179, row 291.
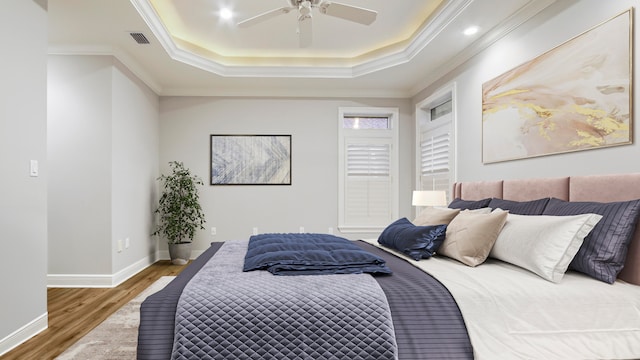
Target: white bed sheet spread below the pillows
column 511, row 313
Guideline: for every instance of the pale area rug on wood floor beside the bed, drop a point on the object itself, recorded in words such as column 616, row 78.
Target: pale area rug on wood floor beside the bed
column 116, row 338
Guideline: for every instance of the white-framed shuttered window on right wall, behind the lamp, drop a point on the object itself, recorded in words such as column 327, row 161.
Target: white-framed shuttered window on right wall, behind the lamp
column 435, row 142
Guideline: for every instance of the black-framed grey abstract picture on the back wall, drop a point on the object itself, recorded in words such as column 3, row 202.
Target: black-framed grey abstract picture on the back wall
column 250, row 160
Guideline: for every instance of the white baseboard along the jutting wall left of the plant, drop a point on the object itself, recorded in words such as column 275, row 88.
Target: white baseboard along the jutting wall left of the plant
column 98, row 280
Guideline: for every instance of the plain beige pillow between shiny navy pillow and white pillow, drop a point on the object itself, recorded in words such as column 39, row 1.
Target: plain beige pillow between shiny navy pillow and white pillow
column 471, row 235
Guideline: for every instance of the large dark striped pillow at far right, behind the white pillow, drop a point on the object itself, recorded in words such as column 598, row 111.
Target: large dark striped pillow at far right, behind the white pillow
column 604, row 250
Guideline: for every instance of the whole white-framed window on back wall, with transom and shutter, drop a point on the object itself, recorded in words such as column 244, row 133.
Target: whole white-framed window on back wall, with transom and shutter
column 368, row 169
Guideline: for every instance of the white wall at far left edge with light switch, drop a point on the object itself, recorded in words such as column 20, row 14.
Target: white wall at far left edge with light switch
column 23, row 208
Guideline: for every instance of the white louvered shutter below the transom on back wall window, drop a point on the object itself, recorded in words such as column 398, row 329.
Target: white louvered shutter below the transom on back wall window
column 368, row 188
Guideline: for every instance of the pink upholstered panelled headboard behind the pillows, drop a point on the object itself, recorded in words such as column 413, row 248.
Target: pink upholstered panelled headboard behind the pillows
column 601, row 188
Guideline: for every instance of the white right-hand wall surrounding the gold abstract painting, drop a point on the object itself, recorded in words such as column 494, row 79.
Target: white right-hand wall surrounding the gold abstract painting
column 555, row 25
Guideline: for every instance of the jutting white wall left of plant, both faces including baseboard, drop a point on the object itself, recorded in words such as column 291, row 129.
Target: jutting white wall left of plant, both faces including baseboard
column 103, row 151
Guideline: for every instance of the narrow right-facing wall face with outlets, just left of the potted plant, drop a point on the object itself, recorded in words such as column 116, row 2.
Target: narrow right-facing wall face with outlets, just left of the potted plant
column 135, row 151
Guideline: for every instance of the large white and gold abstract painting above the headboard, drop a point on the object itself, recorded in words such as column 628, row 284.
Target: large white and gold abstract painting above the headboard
column 574, row 97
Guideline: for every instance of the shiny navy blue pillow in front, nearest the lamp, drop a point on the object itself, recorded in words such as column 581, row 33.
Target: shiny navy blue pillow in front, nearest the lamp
column 418, row 242
